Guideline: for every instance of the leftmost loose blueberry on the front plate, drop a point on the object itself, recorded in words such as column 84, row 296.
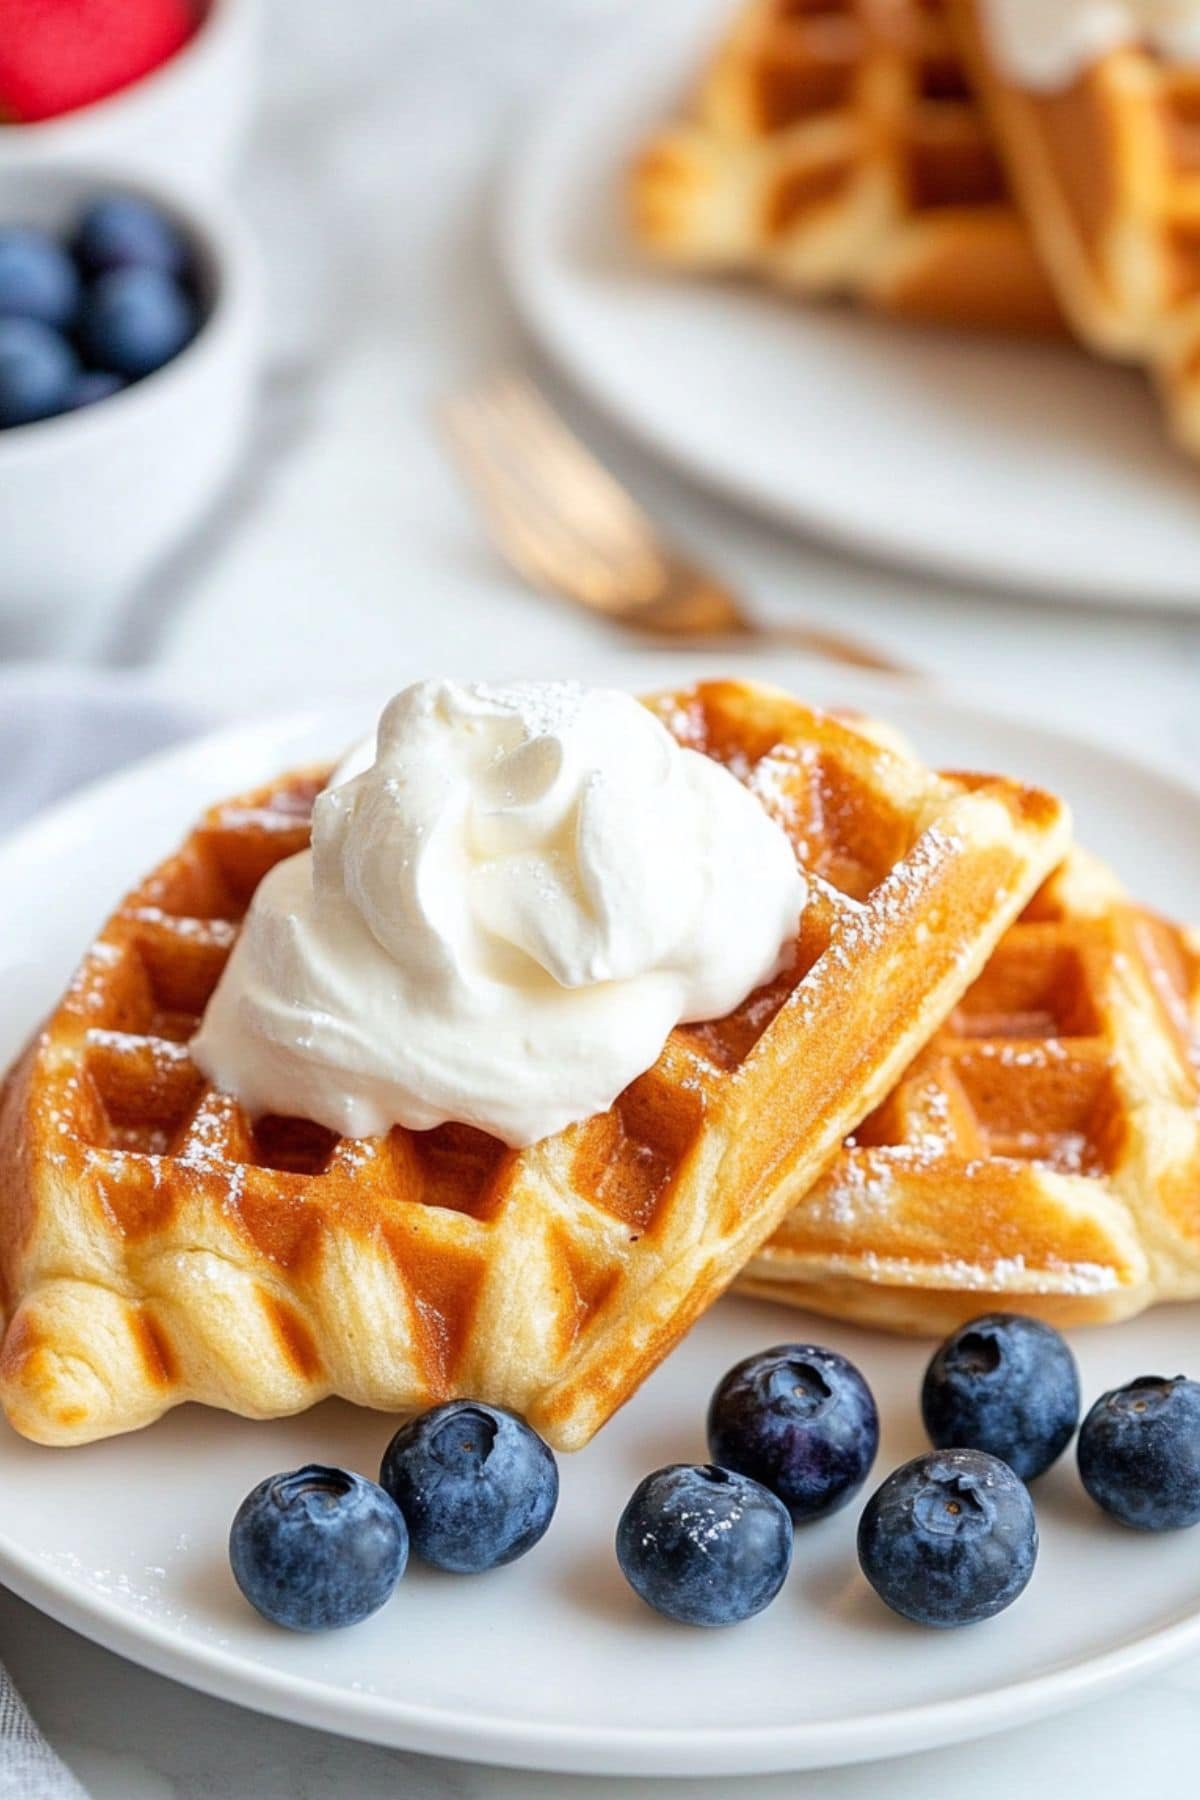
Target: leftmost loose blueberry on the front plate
column 318, row 1549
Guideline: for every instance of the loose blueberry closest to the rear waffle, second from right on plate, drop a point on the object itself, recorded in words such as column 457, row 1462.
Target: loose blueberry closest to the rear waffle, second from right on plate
column 1005, row 1385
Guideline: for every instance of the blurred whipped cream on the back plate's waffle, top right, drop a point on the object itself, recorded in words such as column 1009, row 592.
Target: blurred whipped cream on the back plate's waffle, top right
column 1046, row 44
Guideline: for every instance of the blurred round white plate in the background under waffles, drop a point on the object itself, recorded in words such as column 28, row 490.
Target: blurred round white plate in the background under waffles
column 983, row 460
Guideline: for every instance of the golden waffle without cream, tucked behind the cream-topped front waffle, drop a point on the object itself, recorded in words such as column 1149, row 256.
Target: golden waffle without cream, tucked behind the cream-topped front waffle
column 1041, row 1155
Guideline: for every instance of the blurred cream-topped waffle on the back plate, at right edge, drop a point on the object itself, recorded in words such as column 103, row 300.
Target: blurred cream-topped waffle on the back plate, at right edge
column 1109, row 177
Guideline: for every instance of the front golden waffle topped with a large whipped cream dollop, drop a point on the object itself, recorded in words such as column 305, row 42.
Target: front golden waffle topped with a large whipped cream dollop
column 157, row 1246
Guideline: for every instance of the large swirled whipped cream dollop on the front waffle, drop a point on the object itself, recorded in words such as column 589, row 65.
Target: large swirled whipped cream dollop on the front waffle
column 510, row 901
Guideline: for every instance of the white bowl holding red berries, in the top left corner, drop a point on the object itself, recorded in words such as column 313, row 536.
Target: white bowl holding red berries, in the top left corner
column 183, row 125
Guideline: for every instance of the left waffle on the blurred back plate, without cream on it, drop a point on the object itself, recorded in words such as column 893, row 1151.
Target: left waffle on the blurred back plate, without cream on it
column 836, row 147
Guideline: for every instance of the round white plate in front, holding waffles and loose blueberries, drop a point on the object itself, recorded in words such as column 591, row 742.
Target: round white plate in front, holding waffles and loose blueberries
column 553, row 1662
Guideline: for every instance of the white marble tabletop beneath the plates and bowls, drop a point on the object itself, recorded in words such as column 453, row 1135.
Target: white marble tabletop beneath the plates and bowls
column 348, row 559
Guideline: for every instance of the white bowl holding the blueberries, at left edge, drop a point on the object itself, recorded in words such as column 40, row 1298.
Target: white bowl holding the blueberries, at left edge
column 93, row 499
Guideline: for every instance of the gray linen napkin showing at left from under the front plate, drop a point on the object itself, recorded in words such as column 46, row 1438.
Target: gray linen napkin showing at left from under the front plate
column 60, row 728
